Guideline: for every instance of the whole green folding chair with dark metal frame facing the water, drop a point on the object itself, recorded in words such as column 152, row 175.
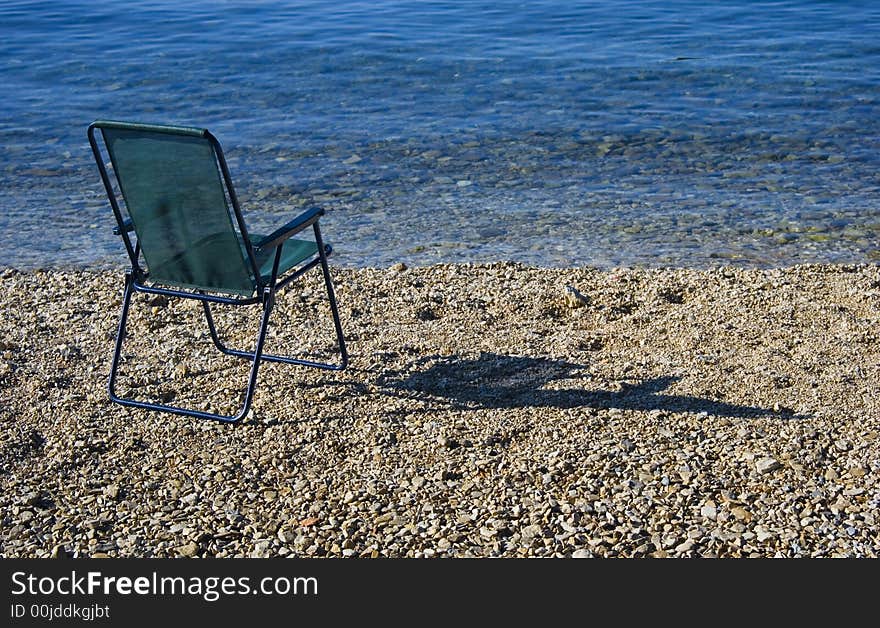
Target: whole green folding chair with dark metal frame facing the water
column 191, row 241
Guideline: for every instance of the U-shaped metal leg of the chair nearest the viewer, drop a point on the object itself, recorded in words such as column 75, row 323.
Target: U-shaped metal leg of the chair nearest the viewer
column 256, row 355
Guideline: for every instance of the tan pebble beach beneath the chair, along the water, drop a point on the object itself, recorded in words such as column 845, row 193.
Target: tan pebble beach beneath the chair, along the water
column 494, row 410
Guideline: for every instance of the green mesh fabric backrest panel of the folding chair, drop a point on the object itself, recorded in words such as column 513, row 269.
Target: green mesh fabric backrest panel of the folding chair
column 175, row 197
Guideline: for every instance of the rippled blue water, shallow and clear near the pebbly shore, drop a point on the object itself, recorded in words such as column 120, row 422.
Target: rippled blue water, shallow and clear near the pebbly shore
column 548, row 132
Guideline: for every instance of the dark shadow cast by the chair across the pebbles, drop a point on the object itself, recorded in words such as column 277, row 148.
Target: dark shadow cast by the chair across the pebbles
column 502, row 381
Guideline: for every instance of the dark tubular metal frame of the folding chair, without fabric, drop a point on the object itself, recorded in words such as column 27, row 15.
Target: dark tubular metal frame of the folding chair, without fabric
column 137, row 277
